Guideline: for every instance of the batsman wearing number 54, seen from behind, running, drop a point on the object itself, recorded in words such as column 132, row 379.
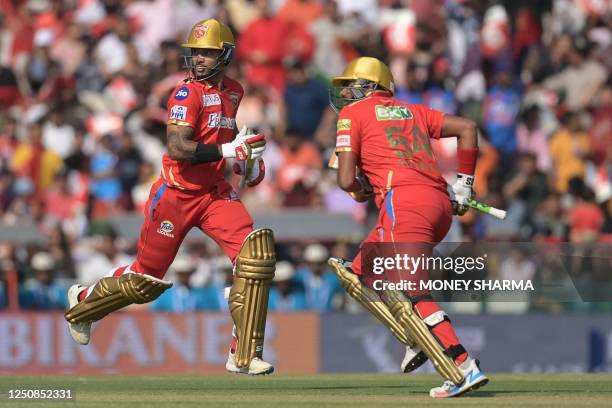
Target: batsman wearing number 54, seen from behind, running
column 383, row 151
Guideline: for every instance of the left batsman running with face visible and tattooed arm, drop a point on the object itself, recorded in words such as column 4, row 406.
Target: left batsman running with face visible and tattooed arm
column 191, row 192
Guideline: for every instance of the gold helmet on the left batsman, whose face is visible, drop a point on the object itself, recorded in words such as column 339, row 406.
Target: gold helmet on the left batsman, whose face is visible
column 210, row 34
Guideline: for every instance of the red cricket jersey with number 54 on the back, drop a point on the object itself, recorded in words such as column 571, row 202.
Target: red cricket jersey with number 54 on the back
column 392, row 142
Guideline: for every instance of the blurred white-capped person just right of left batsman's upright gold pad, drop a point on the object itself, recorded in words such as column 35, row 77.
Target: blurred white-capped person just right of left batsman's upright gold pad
column 284, row 296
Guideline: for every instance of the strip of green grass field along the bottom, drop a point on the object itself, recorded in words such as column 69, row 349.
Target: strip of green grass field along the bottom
column 325, row 390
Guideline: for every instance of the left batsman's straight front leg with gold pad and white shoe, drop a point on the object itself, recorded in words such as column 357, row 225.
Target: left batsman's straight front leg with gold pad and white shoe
column 253, row 254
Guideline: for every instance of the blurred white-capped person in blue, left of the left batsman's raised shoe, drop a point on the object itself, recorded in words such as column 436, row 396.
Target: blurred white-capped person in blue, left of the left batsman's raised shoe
column 42, row 291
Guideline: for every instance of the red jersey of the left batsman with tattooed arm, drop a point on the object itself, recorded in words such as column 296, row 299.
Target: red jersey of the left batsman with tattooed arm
column 211, row 112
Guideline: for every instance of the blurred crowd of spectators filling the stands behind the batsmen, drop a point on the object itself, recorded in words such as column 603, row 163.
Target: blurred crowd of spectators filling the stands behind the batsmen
column 84, row 85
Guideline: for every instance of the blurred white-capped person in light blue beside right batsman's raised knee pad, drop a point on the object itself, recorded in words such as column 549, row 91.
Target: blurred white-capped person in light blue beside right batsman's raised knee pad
column 321, row 287
